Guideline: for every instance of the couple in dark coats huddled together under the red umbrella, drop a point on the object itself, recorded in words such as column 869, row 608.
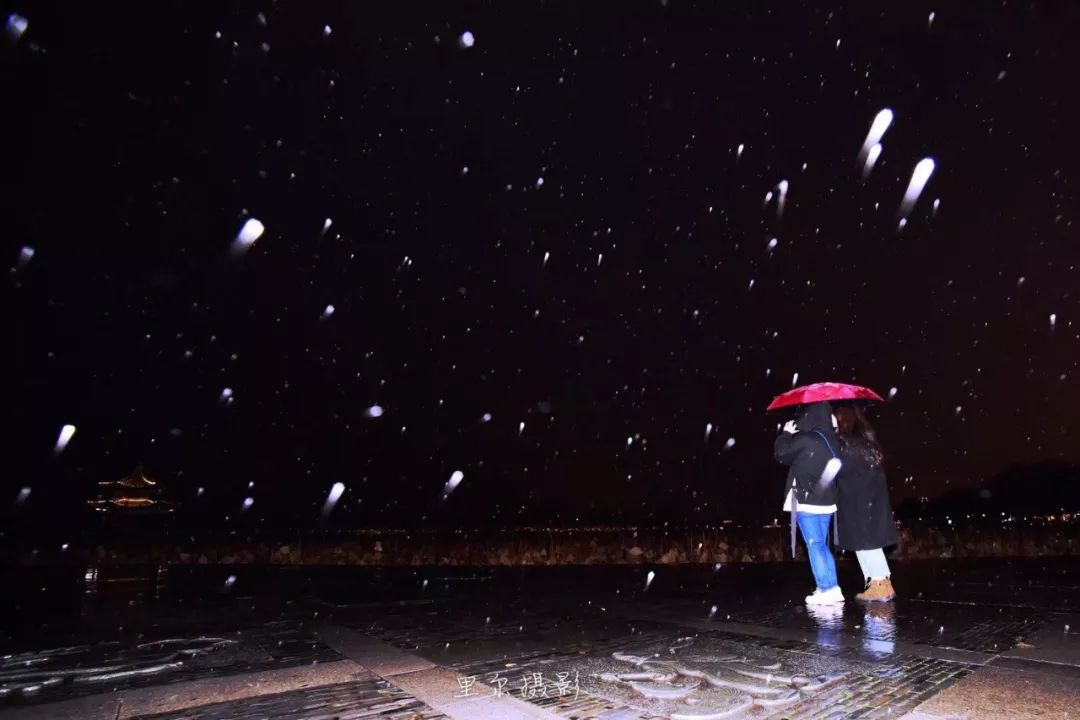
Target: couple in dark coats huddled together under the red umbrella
column 835, row 469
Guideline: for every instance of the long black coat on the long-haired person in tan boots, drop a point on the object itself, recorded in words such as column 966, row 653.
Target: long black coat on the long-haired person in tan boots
column 865, row 517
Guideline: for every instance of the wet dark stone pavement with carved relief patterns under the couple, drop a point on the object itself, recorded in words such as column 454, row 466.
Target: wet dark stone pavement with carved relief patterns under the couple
column 579, row 643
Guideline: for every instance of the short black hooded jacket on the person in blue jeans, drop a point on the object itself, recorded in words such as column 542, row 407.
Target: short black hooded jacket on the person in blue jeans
column 807, row 453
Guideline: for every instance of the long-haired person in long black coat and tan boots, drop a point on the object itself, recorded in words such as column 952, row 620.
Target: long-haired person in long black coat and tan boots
column 865, row 521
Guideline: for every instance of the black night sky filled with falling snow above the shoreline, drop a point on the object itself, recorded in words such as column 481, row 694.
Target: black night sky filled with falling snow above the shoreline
column 562, row 225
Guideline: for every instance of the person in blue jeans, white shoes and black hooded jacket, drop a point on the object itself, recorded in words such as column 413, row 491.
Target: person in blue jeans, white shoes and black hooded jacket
column 808, row 446
